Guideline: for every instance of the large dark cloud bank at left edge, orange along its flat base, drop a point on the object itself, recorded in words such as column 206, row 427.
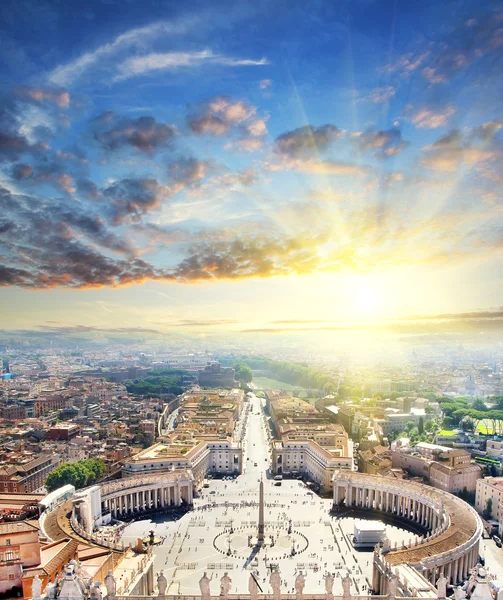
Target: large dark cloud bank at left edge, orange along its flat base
column 50, row 245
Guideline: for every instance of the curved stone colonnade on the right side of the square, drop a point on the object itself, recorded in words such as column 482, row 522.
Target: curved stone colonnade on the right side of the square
column 454, row 529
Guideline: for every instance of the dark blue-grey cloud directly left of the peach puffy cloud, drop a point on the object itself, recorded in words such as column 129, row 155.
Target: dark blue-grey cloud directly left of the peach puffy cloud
column 144, row 134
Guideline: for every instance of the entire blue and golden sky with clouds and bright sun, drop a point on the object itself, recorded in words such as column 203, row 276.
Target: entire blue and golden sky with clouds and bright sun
column 254, row 166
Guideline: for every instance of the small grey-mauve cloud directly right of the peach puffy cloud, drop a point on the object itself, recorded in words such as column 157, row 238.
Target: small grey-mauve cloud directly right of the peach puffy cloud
column 306, row 141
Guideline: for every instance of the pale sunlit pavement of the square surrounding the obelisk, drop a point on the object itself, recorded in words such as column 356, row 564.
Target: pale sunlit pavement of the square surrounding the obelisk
column 201, row 539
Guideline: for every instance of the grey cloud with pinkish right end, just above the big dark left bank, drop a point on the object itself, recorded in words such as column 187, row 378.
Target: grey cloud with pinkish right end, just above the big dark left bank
column 130, row 199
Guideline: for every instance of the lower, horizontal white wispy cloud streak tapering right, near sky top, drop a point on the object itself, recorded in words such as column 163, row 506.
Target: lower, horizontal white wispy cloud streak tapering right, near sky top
column 144, row 65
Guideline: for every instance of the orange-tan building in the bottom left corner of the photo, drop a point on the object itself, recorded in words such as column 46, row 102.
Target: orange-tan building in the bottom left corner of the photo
column 19, row 549
